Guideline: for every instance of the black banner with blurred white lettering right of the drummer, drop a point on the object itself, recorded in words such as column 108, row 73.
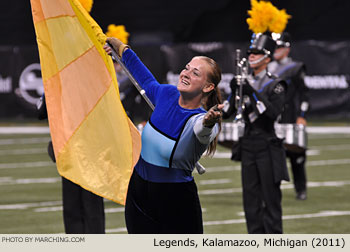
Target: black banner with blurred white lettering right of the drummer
column 328, row 76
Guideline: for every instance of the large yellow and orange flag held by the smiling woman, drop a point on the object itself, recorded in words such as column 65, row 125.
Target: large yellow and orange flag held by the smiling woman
column 96, row 145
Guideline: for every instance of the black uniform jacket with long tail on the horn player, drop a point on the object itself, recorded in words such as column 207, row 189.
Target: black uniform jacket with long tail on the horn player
column 264, row 99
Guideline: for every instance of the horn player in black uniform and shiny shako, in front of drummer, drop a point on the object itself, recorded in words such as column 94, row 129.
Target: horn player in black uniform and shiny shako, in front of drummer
column 260, row 151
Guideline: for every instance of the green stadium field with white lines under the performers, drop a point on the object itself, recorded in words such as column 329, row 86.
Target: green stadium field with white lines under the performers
column 30, row 199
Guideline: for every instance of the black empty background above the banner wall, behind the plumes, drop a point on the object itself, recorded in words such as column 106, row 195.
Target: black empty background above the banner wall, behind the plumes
column 164, row 21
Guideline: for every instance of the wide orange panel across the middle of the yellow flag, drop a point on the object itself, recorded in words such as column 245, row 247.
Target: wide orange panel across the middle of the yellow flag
column 80, row 92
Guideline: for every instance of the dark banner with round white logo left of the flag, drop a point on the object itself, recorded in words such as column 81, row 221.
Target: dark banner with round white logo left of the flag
column 20, row 82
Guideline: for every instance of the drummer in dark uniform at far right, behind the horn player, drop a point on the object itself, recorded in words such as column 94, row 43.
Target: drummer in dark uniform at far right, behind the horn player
column 296, row 105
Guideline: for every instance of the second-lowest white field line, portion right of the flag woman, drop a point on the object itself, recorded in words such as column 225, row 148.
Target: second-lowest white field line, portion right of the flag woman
column 310, row 184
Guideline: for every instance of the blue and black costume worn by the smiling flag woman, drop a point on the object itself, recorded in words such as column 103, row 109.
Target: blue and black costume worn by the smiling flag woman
column 162, row 195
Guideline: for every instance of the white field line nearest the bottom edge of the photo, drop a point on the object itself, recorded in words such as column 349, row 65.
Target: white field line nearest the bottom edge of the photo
column 240, row 221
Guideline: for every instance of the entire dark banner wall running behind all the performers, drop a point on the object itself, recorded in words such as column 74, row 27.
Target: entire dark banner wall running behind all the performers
column 327, row 73
